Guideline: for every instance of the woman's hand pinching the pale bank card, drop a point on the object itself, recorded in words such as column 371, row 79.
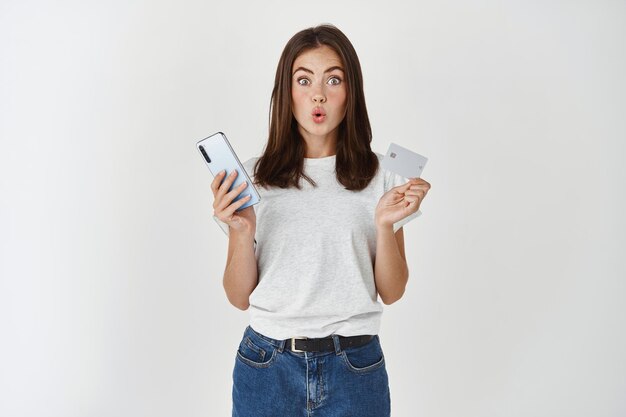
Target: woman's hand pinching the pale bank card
column 401, row 201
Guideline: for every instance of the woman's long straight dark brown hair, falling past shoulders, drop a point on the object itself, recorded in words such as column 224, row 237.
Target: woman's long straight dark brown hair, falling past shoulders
column 282, row 161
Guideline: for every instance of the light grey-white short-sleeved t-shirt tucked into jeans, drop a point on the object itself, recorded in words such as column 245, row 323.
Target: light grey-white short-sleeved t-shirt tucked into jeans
column 315, row 250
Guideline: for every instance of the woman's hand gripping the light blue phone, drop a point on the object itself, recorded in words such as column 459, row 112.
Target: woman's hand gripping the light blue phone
column 243, row 220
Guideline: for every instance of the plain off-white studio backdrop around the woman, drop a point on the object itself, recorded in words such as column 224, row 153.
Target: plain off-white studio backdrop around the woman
column 111, row 297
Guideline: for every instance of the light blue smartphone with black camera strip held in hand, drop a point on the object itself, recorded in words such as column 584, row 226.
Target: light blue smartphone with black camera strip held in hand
column 219, row 155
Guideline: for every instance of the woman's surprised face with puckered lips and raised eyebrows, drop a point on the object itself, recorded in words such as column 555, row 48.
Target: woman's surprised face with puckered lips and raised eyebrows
column 318, row 93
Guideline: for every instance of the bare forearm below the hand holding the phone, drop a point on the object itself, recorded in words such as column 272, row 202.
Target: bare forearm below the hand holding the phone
column 241, row 273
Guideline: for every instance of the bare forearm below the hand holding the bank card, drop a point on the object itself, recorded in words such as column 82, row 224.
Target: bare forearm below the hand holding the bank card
column 391, row 272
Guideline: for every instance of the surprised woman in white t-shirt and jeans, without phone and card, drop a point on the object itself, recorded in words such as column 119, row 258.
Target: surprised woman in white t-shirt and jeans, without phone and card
column 311, row 259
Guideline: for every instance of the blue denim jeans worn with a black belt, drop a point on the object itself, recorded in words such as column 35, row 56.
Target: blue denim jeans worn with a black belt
column 272, row 381
